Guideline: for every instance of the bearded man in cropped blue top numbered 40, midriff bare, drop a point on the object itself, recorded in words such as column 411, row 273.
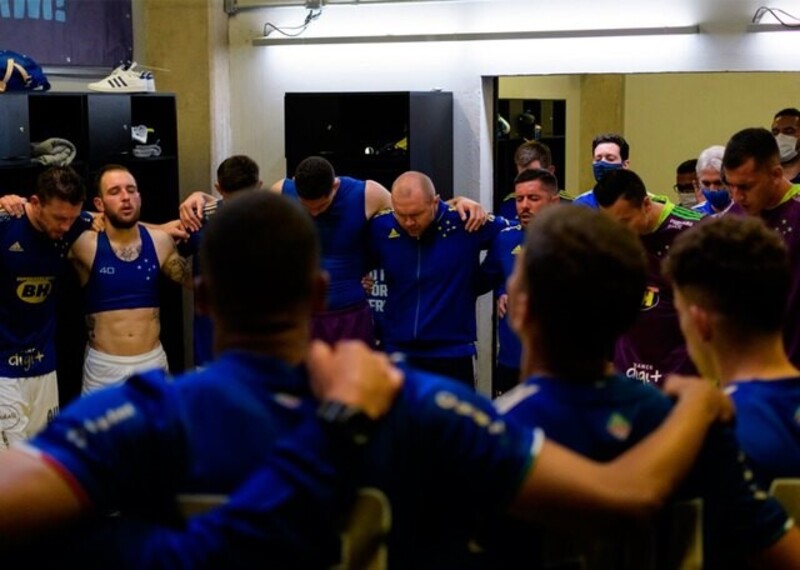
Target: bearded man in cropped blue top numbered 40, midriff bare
column 118, row 269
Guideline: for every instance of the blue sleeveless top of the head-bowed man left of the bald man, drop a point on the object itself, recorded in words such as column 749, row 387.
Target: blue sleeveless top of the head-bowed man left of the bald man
column 343, row 234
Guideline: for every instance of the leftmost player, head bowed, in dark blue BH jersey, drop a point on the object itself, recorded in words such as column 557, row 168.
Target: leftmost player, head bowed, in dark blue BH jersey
column 34, row 240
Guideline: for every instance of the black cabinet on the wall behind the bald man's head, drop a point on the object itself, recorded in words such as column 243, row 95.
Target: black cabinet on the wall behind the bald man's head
column 375, row 136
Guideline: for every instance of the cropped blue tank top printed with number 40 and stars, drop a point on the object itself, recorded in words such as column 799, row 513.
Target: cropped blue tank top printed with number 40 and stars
column 116, row 284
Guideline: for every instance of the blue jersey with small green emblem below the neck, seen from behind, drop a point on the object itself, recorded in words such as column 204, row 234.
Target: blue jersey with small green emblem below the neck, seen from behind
column 605, row 419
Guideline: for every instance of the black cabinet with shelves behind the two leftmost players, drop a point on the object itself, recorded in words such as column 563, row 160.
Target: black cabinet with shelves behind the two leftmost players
column 99, row 125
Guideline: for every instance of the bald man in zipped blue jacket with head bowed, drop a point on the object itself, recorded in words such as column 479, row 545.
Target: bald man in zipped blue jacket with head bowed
column 430, row 263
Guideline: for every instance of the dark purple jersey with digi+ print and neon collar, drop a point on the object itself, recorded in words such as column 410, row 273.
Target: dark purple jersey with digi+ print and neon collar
column 654, row 346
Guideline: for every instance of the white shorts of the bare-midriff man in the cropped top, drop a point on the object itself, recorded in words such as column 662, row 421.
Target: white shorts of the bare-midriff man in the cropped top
column 101, row 369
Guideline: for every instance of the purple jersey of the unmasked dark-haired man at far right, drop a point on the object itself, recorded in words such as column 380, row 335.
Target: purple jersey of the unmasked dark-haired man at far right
column 785, row 219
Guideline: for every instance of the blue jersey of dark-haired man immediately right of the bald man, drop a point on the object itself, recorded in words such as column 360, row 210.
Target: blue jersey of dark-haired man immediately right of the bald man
column 495, row 269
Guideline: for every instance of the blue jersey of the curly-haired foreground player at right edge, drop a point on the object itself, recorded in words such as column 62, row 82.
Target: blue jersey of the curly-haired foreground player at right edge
column 768, row 426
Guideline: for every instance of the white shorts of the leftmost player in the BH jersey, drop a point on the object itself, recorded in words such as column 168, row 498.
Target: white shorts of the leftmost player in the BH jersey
column 26, row 405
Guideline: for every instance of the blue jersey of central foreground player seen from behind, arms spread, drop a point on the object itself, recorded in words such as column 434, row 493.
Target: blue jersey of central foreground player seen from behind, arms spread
column 440, row 456
